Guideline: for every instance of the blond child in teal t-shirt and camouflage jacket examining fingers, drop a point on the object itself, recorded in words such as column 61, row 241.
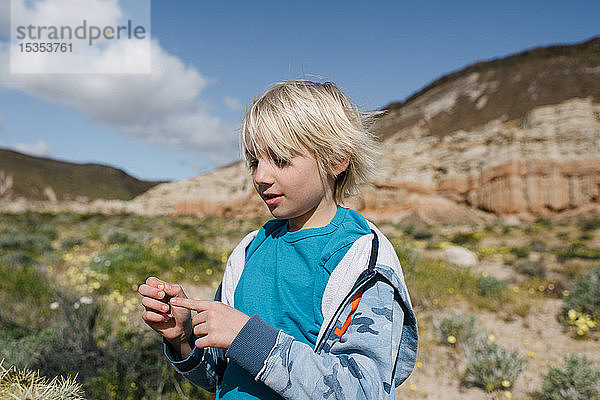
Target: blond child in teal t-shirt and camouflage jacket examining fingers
column 330, row 314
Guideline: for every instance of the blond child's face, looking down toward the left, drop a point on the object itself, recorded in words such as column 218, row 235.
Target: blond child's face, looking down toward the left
column 294, row 190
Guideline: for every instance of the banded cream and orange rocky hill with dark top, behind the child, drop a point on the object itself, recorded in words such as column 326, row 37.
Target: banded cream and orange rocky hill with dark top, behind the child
column 513, row 137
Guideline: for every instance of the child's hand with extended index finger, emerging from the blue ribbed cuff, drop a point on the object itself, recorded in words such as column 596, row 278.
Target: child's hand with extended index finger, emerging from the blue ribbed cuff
column 216, row 324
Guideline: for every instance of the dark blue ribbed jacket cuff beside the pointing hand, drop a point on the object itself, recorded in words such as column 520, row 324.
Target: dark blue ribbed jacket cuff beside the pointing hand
column 253, row 344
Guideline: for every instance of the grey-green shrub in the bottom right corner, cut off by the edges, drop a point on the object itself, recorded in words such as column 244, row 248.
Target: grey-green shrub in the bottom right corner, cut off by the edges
column 578, row 379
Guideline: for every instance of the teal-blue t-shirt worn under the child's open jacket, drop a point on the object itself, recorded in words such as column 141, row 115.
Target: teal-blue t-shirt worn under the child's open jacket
column 284, row 277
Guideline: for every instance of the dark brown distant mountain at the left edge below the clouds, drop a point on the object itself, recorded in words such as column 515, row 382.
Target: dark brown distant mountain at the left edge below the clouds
column 37, row 178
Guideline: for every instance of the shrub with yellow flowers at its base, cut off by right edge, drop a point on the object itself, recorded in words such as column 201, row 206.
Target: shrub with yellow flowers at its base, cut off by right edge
column 581, row 309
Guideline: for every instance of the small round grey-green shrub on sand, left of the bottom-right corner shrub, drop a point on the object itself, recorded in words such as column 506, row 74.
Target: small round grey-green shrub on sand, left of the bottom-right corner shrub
column 491, row 366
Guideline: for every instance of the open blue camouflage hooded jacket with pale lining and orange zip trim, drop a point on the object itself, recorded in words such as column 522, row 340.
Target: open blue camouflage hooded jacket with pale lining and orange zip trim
column 366, row 346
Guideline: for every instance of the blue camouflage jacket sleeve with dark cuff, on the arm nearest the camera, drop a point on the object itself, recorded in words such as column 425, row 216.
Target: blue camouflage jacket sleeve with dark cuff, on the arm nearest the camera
column 358, row 361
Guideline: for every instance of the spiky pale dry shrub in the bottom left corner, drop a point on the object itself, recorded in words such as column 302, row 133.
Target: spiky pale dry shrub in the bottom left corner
column 22, row 384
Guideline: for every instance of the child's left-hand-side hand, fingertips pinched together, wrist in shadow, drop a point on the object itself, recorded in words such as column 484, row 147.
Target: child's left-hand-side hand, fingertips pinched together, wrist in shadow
column 173, row 323
